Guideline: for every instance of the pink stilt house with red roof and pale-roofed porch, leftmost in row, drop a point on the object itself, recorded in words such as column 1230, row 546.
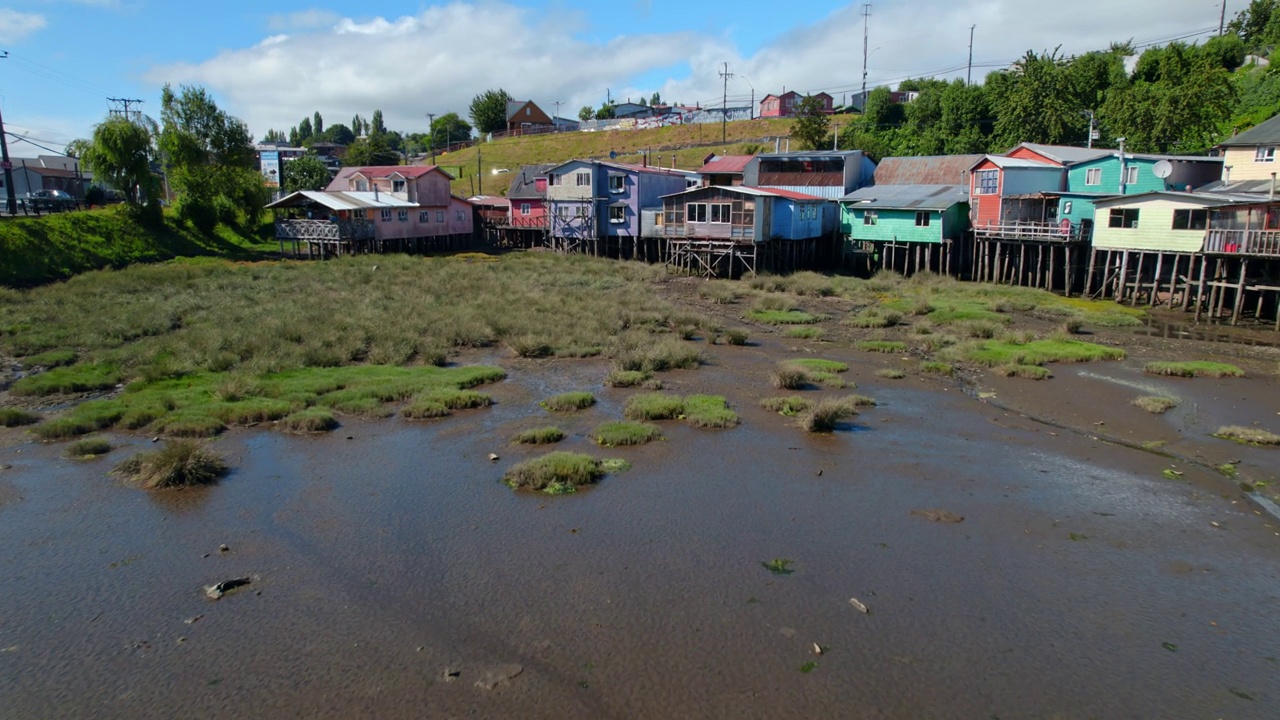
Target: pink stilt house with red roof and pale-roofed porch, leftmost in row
column 403, row 208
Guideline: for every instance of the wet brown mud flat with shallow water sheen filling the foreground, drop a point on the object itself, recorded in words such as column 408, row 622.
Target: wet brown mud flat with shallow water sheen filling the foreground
column 392, row 575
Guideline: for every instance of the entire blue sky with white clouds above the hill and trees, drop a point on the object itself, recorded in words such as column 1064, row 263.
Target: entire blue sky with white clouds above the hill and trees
column 273, row 63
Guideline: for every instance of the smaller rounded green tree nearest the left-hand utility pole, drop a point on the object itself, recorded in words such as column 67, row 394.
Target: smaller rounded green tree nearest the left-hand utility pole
column 120, row 154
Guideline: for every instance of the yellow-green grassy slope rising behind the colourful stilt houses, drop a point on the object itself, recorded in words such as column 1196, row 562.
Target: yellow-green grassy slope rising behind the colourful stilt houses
column 691, row 144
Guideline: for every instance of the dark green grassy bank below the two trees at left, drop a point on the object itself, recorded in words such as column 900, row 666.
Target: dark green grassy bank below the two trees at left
column 39, row 250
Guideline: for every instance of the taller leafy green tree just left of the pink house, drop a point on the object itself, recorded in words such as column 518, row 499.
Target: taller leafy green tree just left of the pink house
column 211, row 158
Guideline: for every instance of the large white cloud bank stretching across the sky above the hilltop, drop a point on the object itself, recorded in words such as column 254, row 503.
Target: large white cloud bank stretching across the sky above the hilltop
column 437, row 61
